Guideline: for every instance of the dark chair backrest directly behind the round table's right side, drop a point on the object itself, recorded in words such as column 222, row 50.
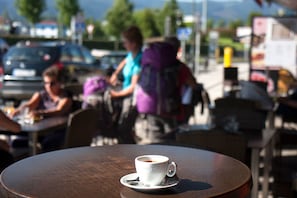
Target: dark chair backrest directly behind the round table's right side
column 216, row 140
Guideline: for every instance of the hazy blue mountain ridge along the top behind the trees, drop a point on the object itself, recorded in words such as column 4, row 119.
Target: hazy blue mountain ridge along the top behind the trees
column 228, row 10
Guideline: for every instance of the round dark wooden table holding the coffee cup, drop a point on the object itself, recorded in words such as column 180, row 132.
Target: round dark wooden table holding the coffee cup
column 96, row 172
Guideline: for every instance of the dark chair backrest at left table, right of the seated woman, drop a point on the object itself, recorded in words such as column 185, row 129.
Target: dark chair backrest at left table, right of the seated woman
column 82, row 127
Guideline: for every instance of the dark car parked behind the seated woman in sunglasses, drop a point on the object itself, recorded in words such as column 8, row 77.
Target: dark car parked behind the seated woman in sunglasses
column 24, row 63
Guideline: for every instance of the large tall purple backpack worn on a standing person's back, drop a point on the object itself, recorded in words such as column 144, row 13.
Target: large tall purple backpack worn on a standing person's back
column 158, row 87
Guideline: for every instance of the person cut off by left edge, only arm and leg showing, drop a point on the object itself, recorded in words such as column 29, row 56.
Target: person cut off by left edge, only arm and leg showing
column 6, row 124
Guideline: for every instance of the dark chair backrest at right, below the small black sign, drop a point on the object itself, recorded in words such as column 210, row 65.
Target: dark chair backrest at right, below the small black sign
column 243, row 113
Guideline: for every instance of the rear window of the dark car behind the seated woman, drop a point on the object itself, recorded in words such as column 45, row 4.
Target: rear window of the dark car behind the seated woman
column 32, row 54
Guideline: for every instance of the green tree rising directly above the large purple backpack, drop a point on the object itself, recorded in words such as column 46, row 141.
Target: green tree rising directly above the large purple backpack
column 169, row 11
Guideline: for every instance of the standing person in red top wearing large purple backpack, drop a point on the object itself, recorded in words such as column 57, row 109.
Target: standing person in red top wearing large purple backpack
column 159, row 93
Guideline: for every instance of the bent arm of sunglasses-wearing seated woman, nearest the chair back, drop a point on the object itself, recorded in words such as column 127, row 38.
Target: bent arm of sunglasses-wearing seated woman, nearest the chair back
column 63, row 106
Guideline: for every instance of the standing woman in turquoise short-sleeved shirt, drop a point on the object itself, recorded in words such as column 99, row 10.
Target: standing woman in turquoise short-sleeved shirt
column 130, row 68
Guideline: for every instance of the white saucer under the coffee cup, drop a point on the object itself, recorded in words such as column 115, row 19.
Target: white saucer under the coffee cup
column 131, row 181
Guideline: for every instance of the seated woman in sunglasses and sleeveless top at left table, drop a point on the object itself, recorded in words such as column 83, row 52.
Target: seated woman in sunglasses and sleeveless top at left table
column 53, row 100
